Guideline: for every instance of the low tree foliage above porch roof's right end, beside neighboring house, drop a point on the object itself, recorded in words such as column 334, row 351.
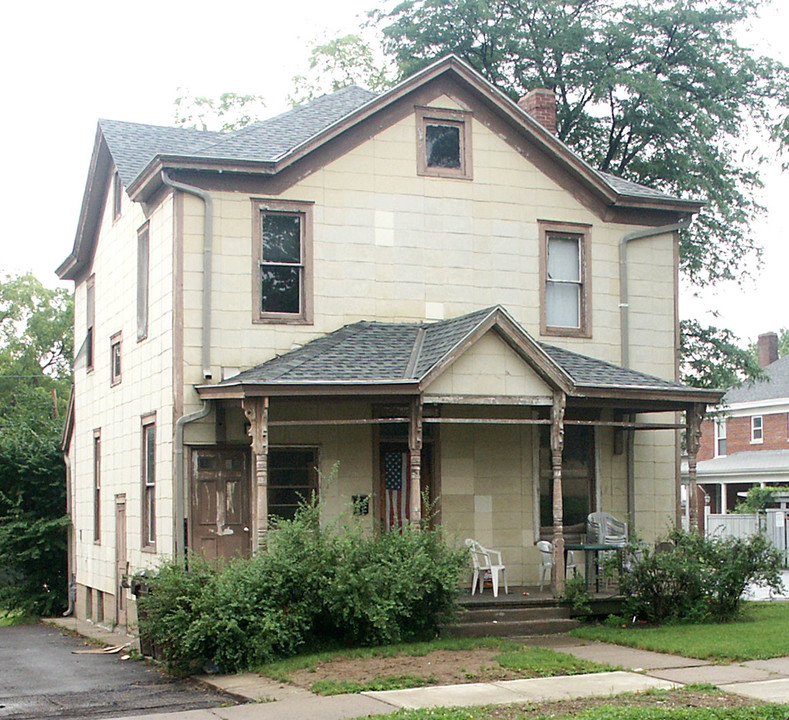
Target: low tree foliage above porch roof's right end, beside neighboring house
column 712, row 358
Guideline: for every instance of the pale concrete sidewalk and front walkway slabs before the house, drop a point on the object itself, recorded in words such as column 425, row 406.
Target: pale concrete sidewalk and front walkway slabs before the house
column 266, row 699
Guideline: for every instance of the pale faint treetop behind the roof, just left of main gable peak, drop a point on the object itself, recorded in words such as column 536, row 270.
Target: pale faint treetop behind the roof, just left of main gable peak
column 336, row 64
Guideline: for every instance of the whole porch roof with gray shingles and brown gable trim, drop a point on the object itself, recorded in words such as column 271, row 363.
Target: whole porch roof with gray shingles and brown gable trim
column 403, row 358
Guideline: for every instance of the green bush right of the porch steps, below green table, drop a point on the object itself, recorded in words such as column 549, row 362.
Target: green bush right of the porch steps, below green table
column 698, row 578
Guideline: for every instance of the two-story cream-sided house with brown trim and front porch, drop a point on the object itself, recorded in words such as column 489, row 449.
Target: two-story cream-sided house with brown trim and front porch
column 421, row 288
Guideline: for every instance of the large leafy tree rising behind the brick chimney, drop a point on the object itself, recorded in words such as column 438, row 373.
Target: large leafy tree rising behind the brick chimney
column 659, row 92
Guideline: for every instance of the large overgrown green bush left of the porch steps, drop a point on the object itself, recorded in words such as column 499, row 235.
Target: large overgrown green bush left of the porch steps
column 312, row 585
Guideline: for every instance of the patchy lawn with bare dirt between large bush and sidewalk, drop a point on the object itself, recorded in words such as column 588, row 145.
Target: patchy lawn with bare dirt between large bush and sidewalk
column 438, row 662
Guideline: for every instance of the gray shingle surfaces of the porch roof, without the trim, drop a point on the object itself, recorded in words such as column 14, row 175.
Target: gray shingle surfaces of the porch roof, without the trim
column 374, row 352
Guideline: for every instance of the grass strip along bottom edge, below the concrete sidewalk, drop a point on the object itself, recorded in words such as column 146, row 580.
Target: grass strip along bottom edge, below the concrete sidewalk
column 693, row 702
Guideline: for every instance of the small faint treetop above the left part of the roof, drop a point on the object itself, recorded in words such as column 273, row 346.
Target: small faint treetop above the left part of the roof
column 230, row 111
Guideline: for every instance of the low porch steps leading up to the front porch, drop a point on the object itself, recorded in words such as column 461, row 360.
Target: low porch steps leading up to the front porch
column 510, row 620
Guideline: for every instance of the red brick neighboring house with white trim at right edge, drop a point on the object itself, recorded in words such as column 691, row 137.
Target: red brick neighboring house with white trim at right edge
column 746, row 443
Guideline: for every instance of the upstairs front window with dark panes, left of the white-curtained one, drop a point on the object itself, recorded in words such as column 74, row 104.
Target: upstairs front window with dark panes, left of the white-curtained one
column 282, row 268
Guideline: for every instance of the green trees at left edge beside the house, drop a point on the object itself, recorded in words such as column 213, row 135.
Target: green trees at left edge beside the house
column 35, row 375
